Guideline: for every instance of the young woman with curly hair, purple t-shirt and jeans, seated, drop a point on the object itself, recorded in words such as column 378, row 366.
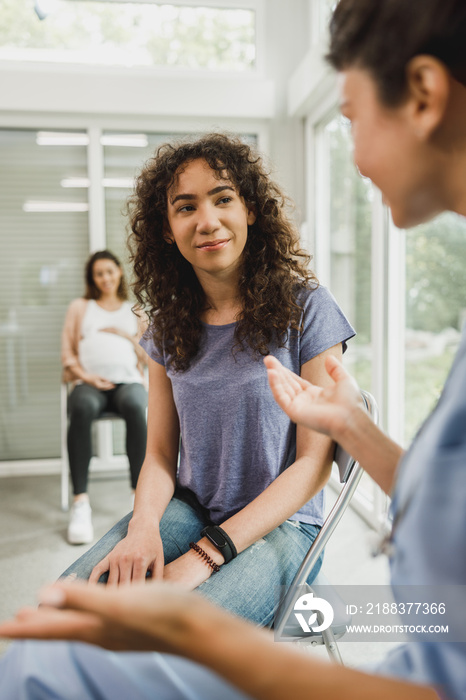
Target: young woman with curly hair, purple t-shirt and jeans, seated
column 220, row 273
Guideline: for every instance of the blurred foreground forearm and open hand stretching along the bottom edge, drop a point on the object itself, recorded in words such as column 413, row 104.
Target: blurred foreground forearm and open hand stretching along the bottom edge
column 164, row 618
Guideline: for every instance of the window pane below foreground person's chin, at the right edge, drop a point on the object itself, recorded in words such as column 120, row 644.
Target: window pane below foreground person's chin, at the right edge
column 435, row 312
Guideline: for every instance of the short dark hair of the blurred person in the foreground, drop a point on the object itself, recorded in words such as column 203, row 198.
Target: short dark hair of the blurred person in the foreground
column 382, row 36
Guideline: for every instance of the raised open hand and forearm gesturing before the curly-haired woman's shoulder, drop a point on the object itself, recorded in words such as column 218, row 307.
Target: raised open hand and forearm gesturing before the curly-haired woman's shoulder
column 337, row 410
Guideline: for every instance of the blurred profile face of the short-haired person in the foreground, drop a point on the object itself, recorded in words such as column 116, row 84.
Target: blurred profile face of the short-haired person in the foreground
column 388, row 150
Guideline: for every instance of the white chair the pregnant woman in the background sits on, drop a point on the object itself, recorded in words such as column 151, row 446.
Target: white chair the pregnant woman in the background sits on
column 105, row 443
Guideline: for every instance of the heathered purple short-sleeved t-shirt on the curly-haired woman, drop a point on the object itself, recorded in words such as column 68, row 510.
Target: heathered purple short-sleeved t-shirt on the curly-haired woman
column 235, row 440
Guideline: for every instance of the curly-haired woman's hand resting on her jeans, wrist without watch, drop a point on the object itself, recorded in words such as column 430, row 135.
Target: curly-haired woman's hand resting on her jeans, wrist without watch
column 132, row 558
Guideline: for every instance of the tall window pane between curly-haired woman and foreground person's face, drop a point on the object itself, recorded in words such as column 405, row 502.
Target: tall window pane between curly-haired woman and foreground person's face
column 344, row 205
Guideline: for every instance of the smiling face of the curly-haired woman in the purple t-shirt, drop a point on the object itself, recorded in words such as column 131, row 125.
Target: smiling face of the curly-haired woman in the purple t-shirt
column 208, row 220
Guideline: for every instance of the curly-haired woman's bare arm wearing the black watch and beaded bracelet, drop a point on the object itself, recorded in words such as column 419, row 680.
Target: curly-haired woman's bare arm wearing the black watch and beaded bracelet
column 286, row 494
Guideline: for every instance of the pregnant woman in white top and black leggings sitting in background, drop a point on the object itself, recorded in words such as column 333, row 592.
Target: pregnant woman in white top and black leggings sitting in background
column 103, row 360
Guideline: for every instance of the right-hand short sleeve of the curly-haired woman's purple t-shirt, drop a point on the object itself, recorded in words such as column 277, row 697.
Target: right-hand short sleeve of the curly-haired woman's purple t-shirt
column 324, row 324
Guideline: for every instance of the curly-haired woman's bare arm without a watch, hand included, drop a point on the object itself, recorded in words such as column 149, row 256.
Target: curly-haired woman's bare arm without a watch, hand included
column 141, row 550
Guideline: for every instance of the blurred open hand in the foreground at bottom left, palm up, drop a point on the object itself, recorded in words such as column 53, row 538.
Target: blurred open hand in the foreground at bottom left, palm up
column 128, row 618
